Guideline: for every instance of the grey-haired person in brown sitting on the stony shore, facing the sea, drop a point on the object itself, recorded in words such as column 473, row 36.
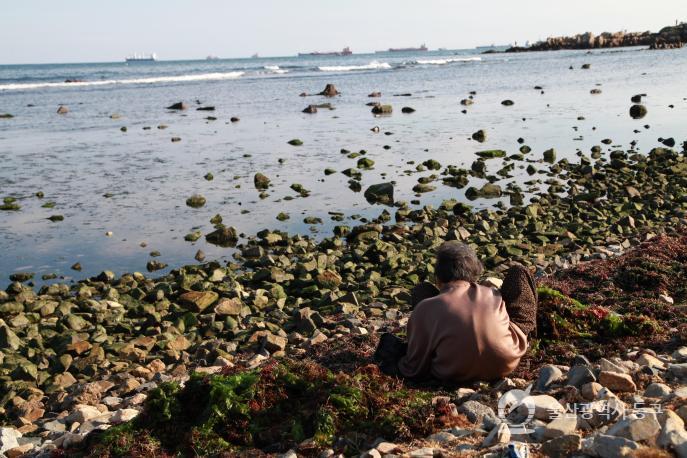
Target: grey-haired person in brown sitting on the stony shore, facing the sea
column 467, row 331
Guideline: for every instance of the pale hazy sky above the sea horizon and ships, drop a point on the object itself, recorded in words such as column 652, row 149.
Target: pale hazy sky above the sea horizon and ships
column 108, row 30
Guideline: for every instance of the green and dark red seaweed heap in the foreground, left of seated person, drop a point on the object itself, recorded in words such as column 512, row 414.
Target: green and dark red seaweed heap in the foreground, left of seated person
column 272, row 409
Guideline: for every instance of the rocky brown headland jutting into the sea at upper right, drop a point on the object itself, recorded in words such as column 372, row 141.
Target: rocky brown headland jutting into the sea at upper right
column 667, row 38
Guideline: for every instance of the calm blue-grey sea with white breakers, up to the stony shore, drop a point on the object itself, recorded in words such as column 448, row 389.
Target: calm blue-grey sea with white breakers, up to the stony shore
column 77, row 158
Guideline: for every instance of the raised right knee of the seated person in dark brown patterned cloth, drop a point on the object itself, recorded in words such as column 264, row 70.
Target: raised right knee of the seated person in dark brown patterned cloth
column 519, row 291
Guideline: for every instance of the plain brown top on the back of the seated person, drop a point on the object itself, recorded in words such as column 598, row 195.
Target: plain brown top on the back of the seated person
column 462, row 334
